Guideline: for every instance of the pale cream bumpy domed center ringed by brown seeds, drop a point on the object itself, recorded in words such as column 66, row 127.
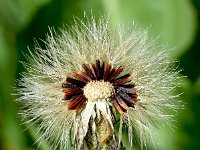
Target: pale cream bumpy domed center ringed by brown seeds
column 98, row 90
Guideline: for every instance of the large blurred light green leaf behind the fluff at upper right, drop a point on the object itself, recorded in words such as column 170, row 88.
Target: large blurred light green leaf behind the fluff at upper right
column 173, row 20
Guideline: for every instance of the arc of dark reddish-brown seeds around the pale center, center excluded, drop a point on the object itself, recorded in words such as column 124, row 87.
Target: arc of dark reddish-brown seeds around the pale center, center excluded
column 124, row 95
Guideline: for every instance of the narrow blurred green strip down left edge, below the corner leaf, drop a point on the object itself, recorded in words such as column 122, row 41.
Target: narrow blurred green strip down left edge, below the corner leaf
column 11, row 132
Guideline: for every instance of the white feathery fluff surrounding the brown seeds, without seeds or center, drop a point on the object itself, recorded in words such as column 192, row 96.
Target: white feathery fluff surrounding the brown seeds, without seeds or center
column 41, row 93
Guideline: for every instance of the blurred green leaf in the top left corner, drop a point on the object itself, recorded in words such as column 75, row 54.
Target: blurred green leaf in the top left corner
column 17, row 13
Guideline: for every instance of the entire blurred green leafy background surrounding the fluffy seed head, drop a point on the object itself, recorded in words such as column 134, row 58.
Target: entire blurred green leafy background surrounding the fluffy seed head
column 175, row 21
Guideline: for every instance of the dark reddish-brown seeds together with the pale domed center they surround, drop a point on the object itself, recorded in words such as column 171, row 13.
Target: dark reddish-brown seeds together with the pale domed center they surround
column 99, row 83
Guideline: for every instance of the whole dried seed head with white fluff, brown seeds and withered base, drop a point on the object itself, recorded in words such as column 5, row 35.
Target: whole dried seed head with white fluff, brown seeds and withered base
column 90, row 78
